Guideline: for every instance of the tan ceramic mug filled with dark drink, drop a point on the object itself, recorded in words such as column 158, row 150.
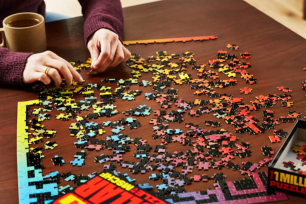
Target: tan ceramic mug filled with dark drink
column 24, row 32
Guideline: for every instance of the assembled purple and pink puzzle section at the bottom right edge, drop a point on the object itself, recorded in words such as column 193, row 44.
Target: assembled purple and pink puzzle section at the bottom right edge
column 247, row 190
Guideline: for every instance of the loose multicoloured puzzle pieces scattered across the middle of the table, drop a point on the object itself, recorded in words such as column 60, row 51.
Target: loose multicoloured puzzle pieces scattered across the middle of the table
column 209, row 149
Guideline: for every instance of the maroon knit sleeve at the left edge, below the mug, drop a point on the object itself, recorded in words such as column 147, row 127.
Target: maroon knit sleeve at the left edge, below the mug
column 11, row 67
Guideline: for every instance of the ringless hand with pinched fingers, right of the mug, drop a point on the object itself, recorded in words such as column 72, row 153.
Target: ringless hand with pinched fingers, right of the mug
column 106, row 50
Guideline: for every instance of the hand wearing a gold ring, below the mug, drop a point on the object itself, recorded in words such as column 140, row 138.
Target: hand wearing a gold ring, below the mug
column 59, row 68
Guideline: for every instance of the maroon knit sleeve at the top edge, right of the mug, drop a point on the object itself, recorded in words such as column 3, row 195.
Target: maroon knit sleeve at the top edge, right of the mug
column 102, row 14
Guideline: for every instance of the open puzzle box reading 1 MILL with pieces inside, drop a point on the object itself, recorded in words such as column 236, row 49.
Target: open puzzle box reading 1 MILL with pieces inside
column 287, row 172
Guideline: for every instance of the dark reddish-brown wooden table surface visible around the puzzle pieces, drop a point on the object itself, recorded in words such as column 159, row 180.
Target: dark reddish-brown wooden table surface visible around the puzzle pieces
column 278, row 56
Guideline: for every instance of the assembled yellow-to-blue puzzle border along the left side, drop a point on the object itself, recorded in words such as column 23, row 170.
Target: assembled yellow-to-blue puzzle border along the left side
column 30, row 178
